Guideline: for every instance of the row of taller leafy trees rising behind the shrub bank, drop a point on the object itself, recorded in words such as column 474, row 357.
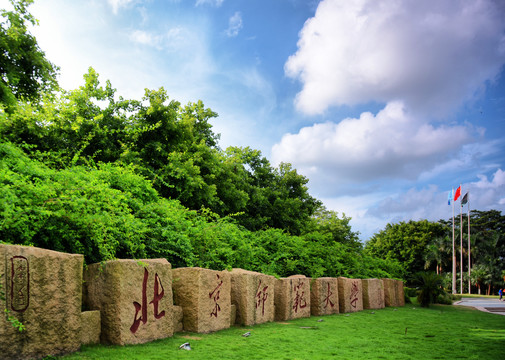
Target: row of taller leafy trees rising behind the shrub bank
column 171, row 145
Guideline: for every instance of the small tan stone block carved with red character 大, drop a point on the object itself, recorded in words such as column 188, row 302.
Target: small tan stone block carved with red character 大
column 324, row 296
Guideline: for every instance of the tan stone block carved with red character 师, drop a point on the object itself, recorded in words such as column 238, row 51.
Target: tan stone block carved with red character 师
column 253, row 295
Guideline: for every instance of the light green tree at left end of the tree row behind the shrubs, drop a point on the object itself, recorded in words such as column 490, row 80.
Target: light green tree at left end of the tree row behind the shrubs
column 73, row 127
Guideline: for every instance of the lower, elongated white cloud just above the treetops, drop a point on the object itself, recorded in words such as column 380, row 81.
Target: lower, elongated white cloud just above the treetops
column 393, row 143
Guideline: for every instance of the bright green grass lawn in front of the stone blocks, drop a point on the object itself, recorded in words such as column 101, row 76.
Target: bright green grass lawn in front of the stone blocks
column 410, row 332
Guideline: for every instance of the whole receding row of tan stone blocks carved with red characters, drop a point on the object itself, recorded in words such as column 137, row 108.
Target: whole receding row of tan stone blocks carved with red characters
column 132, row 300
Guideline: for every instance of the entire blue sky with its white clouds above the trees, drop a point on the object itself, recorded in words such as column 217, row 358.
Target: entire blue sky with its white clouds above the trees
column 383, row 105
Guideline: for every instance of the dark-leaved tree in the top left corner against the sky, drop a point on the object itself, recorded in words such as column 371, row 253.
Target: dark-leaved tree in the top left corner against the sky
column 25, row 73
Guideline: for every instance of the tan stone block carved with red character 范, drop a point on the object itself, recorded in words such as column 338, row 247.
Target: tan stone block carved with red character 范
column 292, row 298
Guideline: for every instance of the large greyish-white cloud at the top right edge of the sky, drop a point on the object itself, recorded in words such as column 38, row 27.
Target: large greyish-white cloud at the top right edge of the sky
column 431, row 54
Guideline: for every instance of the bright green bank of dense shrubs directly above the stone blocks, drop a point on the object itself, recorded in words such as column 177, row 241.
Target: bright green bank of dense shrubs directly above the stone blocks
column 108, row 211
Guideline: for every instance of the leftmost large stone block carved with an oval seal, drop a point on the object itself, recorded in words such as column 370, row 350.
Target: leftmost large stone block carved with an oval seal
column 42, row 289
